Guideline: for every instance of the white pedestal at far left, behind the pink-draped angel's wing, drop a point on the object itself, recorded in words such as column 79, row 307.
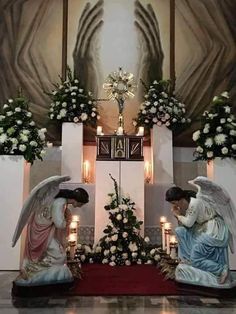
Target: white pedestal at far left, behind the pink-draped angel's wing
column 14, row 187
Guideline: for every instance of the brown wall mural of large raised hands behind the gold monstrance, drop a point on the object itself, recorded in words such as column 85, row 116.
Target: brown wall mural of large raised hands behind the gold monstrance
column 104, row 35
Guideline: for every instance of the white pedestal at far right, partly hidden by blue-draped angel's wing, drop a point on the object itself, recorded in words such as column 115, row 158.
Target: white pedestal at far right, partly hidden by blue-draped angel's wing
column 223, row 172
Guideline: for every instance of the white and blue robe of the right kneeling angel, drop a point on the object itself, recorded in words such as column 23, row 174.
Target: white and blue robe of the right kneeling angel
column 203, row 238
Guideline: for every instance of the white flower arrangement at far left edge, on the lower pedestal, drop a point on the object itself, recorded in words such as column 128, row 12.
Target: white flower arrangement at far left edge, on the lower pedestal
column 18, row 132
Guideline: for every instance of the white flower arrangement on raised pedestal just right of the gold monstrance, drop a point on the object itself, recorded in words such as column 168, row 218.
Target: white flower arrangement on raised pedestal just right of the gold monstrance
column 162, row 108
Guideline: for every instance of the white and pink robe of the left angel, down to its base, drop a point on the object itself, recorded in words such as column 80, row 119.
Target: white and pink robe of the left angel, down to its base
column 45, row 246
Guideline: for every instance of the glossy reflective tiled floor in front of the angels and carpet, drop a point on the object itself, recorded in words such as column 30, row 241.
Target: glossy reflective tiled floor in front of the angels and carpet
column 107, row 305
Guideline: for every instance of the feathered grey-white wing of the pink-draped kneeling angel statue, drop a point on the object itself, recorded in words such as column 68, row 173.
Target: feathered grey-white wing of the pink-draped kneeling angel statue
column 41, row 196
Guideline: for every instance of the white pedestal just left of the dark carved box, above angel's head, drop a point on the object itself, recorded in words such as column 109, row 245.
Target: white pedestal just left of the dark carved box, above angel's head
column 72, row 151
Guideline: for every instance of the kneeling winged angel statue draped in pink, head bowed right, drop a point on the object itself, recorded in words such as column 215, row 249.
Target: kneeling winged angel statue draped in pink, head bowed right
column 48, row 217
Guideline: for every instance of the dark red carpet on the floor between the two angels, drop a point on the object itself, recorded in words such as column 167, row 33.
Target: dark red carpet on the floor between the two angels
column 98, row 279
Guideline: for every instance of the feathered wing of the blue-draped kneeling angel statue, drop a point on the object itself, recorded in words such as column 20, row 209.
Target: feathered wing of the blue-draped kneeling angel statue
column 218, row 199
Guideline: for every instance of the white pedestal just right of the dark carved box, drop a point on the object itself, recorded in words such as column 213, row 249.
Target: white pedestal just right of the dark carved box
column 162, row 154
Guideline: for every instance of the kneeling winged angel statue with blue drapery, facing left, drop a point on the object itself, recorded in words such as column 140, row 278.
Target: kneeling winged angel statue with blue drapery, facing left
column 206, row 230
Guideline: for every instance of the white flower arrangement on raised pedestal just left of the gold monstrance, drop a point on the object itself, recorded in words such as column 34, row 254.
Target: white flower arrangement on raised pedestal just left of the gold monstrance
column 71, row 103
